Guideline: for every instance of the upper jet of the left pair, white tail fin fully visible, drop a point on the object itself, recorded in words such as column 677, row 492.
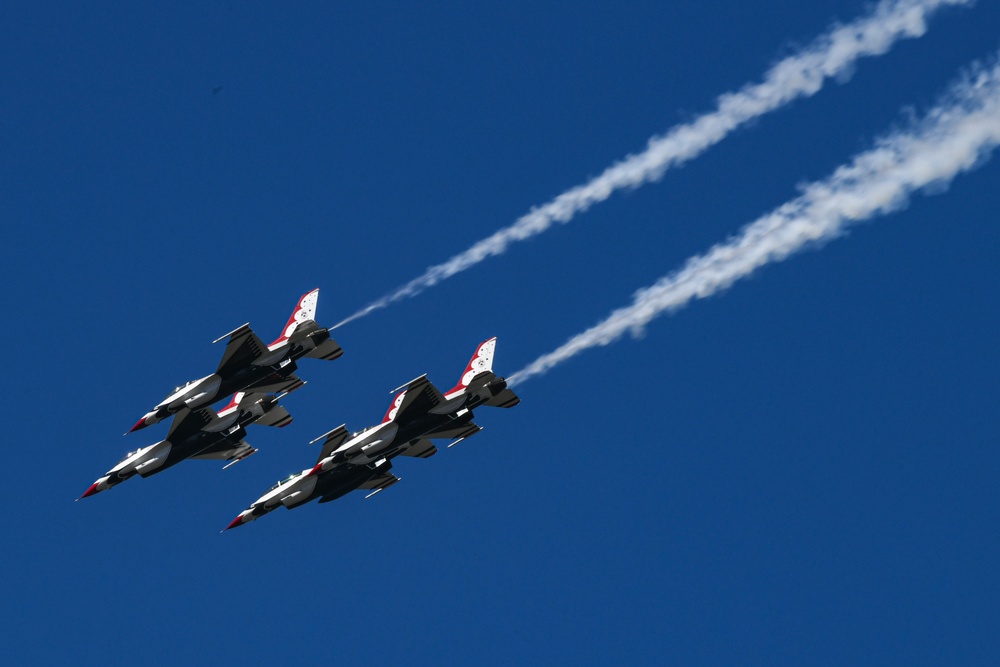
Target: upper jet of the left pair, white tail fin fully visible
column 249, row 365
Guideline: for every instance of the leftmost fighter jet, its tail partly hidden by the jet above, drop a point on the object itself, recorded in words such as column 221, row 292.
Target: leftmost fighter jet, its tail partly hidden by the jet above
column 200, row 434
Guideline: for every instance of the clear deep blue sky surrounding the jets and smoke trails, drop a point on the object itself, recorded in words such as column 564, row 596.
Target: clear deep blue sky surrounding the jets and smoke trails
column 802, row 470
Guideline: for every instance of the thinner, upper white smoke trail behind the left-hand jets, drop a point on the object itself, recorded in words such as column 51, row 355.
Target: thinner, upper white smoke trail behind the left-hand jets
column 801, row 75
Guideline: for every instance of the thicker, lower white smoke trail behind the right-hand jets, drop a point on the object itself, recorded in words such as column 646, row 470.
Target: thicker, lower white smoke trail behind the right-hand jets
column 956, row 136
